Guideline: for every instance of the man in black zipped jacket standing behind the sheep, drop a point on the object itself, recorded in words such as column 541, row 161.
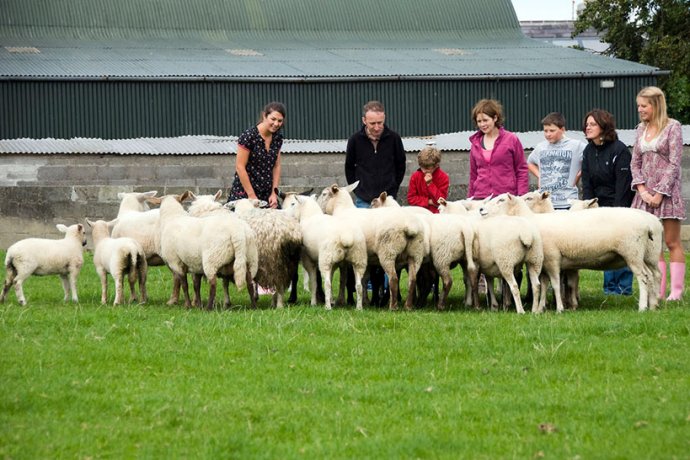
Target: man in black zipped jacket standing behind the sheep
column 375, row 157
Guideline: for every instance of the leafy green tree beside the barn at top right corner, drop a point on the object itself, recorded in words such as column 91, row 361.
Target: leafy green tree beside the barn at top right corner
column 651, row 32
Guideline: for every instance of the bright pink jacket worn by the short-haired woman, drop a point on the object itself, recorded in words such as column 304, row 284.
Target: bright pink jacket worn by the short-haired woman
column 506, row 171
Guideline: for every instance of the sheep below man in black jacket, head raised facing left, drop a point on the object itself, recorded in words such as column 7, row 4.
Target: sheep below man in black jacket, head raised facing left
column 392, row 236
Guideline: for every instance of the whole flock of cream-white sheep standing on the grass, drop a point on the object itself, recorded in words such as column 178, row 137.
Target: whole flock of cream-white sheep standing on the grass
column 252, row 246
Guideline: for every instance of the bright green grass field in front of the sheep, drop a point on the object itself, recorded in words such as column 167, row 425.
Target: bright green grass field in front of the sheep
column 155, row 381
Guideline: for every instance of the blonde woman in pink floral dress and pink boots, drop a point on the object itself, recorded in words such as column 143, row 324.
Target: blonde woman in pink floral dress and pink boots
column 656, row 172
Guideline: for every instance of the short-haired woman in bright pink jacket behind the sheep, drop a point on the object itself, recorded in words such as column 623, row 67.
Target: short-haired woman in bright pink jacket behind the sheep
column 497, row 159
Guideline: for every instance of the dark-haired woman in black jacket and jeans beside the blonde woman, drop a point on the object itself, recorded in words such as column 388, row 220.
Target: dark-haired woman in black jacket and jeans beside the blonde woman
column 606, row 176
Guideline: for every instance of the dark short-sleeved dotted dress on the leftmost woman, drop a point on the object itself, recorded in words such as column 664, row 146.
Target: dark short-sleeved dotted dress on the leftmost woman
column 259, row 166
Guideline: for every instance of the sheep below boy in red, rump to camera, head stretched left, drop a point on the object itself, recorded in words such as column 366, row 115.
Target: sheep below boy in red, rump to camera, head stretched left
column 450, row 242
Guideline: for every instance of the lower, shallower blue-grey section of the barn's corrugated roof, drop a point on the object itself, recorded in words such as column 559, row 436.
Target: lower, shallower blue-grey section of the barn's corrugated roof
column 183, row 59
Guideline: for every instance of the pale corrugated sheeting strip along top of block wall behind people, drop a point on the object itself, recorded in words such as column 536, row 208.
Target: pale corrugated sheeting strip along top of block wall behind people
column 216, row 145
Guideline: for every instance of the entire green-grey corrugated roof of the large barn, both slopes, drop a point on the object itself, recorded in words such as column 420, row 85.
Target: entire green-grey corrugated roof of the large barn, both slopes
column 305, row 39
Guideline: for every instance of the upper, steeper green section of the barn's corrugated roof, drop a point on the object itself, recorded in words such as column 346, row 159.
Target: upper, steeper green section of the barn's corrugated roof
column 166, row 18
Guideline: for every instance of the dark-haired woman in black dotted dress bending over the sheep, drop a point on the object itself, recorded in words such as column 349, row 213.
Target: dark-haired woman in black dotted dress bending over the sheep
column 257, row 167
